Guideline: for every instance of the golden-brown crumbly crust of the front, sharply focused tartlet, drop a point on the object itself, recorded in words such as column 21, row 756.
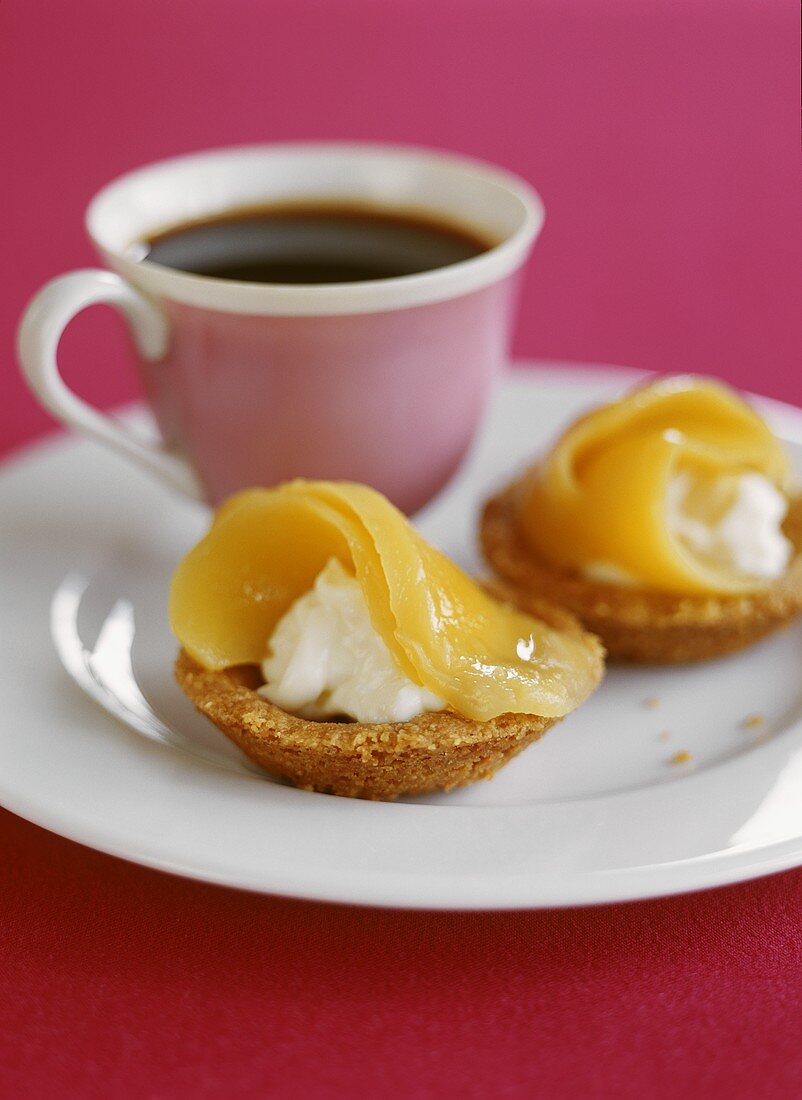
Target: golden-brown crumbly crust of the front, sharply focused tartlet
column 434, row 752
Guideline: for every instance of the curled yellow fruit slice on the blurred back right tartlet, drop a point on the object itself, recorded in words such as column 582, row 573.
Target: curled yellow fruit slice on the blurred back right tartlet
column 600, row 498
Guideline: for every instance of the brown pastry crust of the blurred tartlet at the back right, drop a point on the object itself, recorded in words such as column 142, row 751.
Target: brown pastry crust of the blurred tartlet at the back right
column 635, row 624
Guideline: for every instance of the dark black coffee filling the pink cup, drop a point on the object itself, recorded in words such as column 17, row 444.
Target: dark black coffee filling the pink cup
column 312, row 245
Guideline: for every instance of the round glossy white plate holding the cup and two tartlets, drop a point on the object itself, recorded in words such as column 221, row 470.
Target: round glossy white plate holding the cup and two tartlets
column 597, row 812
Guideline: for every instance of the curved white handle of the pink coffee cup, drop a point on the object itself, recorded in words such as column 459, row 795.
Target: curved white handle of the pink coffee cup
column 43, row 323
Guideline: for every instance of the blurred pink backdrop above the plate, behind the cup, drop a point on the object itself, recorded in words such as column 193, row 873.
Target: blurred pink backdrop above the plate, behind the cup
column 663, row 135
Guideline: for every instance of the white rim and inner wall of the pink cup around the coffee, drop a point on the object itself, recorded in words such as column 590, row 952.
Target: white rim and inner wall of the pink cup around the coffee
column 129, row 208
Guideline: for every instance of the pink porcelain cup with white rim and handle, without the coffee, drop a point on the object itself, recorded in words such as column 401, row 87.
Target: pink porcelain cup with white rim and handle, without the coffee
column 382, row 382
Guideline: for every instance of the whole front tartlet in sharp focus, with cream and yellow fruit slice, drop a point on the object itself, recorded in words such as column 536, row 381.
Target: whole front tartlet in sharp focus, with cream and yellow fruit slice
column 338, row 650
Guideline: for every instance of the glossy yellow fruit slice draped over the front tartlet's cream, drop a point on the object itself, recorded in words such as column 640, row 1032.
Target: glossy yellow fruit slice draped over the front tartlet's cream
column 267, row 547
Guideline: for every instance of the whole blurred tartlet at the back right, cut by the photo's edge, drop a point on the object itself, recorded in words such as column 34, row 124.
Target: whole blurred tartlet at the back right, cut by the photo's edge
column 668, row 522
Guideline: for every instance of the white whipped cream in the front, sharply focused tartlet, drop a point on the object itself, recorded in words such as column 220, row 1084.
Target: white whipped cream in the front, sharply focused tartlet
column 326, row 659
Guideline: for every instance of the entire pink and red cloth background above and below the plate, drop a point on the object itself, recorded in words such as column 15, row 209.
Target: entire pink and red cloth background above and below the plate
column 664, row 138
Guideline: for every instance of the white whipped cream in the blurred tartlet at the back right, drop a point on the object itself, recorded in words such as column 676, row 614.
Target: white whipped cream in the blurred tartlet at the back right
column 749, row 537
